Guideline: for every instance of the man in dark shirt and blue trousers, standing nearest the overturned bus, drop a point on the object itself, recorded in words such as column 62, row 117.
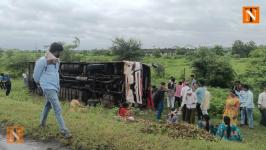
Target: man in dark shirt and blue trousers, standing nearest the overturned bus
column 159, row 100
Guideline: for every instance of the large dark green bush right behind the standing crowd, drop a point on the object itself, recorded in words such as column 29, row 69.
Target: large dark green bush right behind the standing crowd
column 214, row 70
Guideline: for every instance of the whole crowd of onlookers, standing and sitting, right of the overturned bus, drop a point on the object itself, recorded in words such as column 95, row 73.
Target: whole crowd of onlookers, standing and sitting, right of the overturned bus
column 190, row 102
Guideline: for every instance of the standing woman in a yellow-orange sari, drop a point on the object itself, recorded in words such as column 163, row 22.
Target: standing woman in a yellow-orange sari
column 231, row 107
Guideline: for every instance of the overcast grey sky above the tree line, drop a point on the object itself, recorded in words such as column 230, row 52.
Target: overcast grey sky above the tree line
column 27, row 24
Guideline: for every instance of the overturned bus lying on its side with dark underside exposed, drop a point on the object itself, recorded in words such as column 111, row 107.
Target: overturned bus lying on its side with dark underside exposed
column 108, row 83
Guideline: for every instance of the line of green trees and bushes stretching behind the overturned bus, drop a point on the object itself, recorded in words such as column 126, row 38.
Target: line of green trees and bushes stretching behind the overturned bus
column 208, row 63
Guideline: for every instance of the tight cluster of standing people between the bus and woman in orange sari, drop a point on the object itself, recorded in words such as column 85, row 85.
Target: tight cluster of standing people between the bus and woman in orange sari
column 189, row 98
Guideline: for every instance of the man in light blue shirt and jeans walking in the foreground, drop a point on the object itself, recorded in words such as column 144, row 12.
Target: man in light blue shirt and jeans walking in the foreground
column 47, row 76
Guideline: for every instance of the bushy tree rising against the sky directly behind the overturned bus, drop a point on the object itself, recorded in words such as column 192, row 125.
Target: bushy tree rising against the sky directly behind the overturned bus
column 127, row 49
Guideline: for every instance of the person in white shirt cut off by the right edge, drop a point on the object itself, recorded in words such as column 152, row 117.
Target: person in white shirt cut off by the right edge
column 262, row 106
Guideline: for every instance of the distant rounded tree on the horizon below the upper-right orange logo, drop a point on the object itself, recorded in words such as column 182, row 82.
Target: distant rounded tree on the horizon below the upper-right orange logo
column 243, row 49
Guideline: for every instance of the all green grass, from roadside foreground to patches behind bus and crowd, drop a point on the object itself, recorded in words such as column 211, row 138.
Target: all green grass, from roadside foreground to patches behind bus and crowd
column 98, row 128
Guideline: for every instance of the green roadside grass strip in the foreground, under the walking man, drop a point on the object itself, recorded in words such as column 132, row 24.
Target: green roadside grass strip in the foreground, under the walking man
column 98, row 128
